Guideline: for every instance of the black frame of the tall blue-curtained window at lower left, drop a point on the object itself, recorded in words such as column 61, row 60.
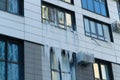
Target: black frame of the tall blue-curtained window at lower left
column 20, row 61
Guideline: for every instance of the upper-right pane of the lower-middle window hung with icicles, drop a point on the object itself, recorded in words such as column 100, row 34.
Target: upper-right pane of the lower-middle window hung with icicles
column 65, row 63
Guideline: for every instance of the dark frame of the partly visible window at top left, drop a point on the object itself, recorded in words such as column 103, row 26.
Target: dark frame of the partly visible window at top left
column 20, row 8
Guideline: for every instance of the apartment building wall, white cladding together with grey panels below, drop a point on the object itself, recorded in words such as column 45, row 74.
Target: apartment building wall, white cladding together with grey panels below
column 29, row 27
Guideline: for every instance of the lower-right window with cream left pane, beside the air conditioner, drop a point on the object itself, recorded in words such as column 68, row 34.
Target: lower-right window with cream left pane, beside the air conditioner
column 102, row 70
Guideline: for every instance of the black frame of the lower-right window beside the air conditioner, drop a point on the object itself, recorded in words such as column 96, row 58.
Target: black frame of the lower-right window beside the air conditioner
column 109, row 68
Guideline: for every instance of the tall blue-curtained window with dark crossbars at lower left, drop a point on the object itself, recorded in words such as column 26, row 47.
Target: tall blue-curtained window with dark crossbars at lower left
column 11, row 64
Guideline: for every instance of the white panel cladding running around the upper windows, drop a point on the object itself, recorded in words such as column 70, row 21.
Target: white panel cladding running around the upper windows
column 32, row 29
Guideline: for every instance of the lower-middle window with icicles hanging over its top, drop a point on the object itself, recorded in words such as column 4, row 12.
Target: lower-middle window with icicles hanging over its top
column 61, row 68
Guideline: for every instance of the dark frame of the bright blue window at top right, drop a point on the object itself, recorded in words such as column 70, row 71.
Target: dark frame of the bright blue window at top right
column 106, row 6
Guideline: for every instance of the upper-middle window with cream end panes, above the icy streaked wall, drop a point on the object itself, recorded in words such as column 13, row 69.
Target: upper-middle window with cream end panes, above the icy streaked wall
column 58, row 16
